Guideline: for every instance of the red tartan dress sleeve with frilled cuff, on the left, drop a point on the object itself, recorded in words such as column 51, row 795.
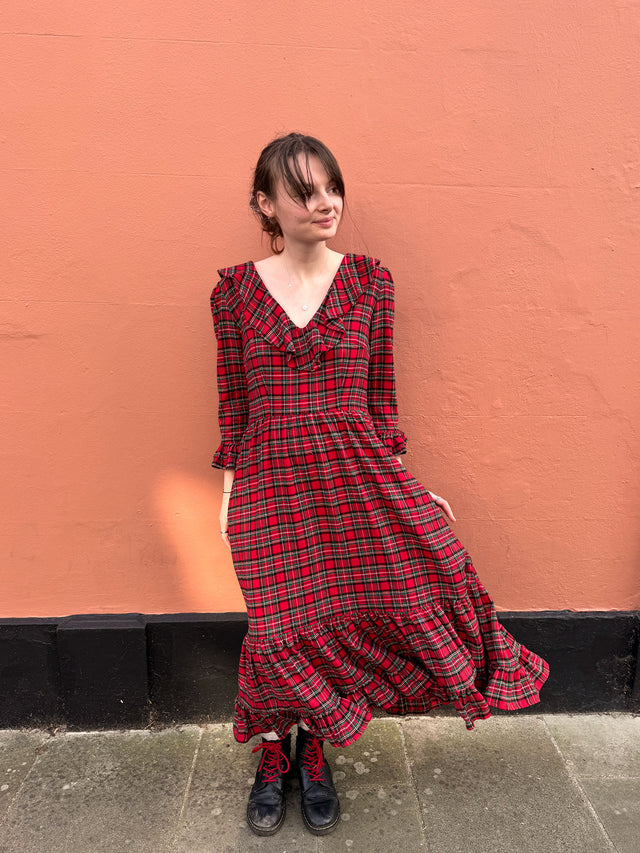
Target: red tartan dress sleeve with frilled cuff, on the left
column 232, row 384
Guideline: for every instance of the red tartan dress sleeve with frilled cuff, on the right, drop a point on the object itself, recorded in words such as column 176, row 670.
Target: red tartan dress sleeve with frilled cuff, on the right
column 381, row 385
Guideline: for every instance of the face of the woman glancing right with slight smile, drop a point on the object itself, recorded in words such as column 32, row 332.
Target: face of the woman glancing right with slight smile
column 309, row 222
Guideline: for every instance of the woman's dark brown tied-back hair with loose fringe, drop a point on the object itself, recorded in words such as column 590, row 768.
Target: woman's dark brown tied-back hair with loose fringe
column 279, row 161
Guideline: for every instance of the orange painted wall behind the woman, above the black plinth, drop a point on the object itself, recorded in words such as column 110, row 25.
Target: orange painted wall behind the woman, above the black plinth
column 492, row 160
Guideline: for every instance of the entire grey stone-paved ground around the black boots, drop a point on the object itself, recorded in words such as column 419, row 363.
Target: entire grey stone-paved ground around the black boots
column 516, row 784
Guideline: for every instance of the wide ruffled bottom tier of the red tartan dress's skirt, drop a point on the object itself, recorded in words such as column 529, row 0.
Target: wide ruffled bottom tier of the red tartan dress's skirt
column 332, row 675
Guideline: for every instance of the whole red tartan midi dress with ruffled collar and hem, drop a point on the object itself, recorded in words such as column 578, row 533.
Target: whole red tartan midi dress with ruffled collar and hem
column 358, row 593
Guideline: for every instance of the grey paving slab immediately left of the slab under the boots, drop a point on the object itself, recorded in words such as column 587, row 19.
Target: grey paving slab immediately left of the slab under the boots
column 101, row 791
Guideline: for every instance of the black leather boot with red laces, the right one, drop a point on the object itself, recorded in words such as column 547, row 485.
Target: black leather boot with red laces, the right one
column 320, row 804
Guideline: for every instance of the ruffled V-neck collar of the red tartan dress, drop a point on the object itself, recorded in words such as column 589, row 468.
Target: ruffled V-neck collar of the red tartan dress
column 304, row 348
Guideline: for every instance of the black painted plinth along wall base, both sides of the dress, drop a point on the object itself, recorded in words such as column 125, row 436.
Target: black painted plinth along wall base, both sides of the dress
column 132, row 670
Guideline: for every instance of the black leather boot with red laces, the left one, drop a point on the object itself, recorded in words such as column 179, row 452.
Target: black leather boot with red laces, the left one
column 267, row 804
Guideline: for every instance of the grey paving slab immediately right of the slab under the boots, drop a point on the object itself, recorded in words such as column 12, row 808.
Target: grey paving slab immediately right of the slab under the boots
column 500, row 788
